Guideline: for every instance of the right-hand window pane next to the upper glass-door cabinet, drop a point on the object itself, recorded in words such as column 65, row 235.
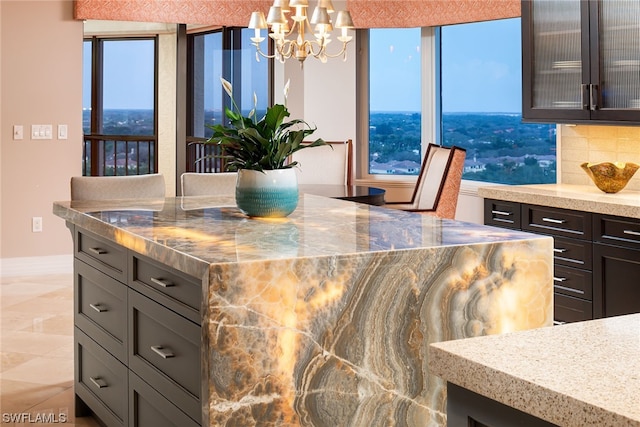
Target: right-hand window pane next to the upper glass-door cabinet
column 481, row 105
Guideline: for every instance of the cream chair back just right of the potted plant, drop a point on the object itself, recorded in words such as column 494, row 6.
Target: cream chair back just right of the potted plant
column 326, row 164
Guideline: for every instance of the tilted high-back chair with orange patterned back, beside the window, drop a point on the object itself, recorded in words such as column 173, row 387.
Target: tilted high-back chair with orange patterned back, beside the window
column 438, row 185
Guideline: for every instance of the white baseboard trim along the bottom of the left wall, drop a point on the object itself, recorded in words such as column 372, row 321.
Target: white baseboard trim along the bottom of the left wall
column 36, row 266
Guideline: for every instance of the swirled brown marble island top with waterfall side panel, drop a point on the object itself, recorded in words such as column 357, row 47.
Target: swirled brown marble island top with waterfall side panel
column 324, row 317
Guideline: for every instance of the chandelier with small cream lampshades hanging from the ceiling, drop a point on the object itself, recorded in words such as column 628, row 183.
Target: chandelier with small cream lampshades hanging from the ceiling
column 290, row 40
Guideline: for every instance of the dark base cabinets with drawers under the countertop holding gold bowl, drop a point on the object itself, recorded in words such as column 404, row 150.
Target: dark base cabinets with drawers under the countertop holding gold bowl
column 596, row 257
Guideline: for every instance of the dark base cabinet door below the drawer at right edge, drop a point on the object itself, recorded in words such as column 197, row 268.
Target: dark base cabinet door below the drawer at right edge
column 616, row 288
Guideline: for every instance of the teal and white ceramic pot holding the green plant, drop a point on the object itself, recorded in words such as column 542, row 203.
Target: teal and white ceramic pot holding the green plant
column 271, row 194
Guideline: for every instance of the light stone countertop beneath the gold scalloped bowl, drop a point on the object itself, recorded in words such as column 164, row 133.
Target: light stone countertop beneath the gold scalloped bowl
column 586, row 198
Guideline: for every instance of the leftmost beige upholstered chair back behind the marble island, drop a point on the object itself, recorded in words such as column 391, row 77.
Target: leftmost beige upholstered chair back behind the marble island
column 117, row 187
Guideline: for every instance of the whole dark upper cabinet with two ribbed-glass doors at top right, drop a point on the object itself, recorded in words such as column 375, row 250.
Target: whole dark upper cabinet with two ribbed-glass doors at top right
column 581, row 61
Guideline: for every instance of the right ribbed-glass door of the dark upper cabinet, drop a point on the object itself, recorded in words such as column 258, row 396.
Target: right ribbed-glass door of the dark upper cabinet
column 615, row 52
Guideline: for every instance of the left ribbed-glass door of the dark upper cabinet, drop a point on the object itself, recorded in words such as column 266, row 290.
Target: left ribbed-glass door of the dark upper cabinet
column 555, row 50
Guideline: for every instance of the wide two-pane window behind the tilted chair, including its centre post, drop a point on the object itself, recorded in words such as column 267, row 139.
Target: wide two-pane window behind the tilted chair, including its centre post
column 466, row 93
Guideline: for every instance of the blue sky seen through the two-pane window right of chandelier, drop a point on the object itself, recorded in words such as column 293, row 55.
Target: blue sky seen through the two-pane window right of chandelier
column 481, row 68
